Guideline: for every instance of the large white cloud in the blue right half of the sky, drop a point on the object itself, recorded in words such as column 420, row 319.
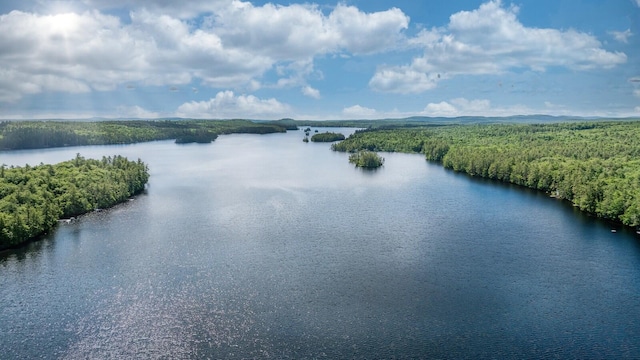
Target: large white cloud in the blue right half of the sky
column 491, row 40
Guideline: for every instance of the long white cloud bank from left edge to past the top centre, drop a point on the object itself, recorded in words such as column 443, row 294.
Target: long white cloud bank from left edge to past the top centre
column 231, row 45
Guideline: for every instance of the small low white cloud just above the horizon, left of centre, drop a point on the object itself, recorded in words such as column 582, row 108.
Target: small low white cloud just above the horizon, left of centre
column 227, row 105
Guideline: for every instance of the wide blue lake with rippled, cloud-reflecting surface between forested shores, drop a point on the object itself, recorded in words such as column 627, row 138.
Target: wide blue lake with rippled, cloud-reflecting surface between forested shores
column 267, row 247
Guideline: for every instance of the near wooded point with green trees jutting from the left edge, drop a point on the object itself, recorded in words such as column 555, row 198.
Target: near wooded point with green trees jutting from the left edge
column 33, row 198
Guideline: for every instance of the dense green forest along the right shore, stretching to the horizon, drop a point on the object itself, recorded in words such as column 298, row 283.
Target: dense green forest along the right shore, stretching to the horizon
column 595, row 165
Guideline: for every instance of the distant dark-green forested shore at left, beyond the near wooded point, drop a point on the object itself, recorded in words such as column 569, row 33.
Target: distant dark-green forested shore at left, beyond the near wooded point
column 46, row 134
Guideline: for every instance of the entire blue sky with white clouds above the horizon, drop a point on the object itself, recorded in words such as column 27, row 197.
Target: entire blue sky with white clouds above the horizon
column 350, row 59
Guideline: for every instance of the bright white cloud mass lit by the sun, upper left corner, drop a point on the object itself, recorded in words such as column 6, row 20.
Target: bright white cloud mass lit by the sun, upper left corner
column 74, row 53
